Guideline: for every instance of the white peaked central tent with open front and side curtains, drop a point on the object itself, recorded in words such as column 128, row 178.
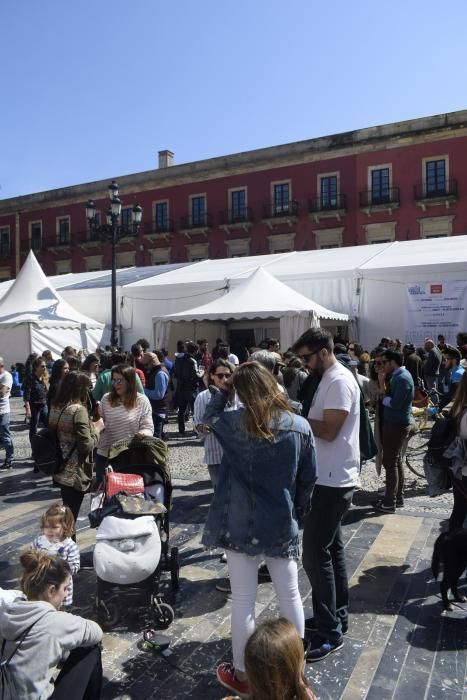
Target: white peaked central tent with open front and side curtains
column 259, row 296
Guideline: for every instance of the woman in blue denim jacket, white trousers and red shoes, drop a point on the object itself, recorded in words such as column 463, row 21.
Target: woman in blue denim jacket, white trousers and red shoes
column 265, row 481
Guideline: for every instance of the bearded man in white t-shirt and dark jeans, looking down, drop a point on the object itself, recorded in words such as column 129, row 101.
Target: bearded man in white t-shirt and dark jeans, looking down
column 334, row 417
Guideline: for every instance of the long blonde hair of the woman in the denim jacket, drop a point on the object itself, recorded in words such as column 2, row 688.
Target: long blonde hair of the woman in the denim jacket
column 260, row 394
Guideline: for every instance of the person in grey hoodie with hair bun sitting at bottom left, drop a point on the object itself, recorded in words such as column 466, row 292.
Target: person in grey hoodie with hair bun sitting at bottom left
column 40, row 637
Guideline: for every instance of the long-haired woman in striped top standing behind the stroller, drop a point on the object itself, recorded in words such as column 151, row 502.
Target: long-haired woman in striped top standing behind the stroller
column 125, row 412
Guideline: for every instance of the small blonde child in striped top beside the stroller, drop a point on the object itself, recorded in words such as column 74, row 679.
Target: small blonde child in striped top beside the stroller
column 57, row 526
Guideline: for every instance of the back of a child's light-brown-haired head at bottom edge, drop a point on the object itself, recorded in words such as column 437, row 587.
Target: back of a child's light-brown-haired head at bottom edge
column 274, row 663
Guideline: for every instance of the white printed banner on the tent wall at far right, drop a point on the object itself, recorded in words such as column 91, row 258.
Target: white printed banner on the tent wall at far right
column 436, row 308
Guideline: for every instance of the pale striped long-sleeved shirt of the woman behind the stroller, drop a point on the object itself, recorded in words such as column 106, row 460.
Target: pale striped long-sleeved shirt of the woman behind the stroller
column 122, row 423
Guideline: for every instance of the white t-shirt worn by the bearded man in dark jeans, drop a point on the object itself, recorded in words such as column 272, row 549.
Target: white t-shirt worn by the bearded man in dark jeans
column 339, row 460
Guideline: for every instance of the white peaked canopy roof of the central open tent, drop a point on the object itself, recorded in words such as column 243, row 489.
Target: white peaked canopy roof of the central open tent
column 260, row 296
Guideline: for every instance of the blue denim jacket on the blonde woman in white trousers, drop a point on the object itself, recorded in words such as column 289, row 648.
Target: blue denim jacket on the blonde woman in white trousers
column 264, row 486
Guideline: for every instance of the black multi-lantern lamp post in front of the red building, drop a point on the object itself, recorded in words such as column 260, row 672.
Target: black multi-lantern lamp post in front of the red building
column 112, row 231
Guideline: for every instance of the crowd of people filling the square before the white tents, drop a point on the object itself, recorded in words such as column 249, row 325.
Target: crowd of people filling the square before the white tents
column 284, row 436
